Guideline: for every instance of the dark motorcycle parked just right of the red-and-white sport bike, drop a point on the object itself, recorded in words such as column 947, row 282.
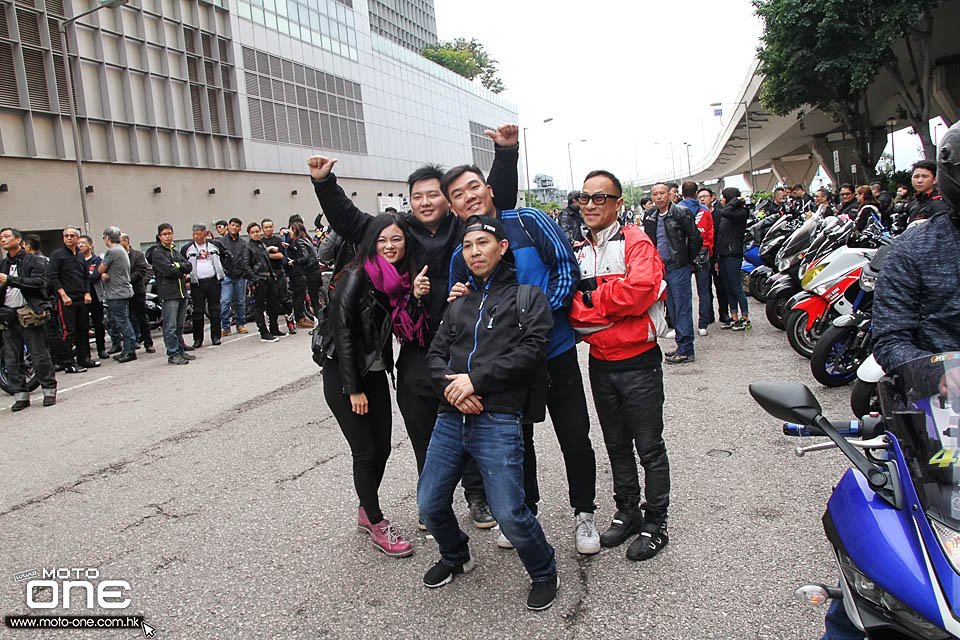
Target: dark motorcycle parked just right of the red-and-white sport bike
column 847, row 342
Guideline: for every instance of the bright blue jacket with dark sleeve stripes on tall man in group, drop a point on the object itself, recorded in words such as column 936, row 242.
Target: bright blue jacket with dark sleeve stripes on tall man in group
column 545, row 259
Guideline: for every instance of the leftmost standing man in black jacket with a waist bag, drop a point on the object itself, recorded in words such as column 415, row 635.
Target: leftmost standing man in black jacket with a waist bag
column 23, row 284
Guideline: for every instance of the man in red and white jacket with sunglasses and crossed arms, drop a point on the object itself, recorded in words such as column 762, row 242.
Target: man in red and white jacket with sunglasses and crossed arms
column 617, row 310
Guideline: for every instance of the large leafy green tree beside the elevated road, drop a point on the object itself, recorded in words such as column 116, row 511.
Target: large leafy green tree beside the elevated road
column 825, row 54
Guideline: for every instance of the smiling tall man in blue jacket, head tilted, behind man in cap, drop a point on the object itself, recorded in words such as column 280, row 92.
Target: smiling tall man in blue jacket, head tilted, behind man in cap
column 543, row 258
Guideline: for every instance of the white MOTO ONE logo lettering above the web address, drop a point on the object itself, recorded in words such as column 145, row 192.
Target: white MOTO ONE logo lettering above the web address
column 68, row 585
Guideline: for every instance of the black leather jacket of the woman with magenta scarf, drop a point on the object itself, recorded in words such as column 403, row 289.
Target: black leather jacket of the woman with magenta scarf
column 360, row 327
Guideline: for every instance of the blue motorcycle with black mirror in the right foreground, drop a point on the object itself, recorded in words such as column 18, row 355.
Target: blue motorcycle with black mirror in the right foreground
column 894, row 518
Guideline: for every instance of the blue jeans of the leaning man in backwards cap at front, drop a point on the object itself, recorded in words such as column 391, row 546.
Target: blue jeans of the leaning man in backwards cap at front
column 495, row 441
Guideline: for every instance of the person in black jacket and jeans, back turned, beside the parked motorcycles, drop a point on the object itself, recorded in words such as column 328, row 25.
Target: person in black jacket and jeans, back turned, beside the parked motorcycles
column 728, row 247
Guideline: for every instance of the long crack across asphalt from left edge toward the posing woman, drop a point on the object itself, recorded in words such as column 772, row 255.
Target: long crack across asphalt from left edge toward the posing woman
column 217, row 421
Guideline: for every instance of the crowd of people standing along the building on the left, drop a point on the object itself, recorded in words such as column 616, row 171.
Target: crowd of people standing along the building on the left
column 52, row 305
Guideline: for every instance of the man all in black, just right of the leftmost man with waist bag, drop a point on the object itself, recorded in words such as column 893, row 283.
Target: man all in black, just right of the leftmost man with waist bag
column 67, row 275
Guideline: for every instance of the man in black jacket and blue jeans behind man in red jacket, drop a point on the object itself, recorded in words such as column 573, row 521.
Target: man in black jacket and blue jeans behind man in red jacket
column 674, row 231
